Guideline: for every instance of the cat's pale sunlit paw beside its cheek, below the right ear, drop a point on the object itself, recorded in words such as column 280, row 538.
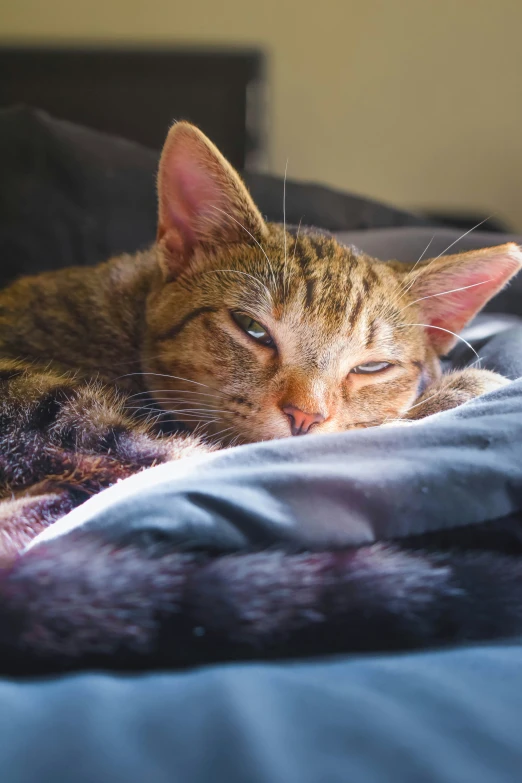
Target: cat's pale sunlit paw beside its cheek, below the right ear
column 453, row 389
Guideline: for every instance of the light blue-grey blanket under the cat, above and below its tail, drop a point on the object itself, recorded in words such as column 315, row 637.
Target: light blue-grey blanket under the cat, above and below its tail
column 439, row 716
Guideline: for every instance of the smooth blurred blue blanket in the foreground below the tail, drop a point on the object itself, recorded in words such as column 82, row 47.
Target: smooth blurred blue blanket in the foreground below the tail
column 439, row 717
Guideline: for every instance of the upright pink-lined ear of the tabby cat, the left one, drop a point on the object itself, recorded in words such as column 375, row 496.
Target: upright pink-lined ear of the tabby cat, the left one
column 202, row 200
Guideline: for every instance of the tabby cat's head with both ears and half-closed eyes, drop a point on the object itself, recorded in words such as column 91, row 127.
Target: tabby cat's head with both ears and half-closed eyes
column 254, row 332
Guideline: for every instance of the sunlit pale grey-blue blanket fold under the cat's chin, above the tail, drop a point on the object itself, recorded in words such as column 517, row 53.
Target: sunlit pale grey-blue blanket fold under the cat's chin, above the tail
column 458, row 468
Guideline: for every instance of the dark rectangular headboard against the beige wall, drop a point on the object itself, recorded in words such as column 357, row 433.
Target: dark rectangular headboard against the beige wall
column 136, row 93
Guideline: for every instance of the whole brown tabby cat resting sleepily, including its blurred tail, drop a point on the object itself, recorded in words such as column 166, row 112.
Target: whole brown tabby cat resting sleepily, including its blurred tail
column 228, row 330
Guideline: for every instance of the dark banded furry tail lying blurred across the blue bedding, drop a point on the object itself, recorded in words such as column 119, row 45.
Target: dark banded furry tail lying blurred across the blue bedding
column 62, row 608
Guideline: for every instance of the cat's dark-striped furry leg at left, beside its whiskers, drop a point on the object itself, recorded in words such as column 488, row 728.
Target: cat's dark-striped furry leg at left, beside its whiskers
column 59, row 431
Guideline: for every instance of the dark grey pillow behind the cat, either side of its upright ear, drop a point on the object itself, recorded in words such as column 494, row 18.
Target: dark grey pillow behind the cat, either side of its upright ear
column 73, row 196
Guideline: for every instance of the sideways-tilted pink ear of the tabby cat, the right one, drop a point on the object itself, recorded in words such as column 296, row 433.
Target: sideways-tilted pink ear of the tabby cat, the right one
column 450, row 290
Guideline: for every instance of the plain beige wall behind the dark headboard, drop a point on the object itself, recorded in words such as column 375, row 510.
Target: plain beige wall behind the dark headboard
column 411, row 101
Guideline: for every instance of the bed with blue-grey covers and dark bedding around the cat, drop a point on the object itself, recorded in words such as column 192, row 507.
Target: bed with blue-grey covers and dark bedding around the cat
column 434, row 715
